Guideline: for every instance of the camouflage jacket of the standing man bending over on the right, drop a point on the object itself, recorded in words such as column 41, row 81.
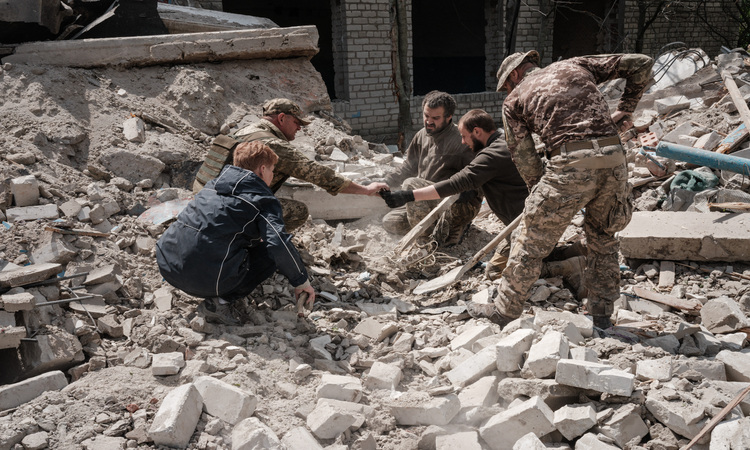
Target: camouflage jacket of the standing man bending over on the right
column 562, row 103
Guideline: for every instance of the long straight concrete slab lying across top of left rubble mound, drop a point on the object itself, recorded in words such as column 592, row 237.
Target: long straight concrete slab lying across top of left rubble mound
column 172, row 49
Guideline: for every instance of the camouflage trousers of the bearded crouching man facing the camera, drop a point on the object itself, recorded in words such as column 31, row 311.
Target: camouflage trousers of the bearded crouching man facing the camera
column 401, row 220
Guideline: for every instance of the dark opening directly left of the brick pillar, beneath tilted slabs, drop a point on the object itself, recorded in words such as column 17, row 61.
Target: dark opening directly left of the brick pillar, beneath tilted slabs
column 292, row 13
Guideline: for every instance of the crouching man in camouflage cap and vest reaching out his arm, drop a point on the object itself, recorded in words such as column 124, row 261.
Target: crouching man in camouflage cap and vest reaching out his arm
column 282, row 118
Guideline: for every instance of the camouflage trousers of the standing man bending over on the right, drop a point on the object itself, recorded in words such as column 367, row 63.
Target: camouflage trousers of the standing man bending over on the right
column 596, row 180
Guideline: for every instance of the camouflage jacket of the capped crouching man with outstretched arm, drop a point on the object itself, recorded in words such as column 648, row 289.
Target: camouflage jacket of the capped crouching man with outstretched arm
column 292, row 163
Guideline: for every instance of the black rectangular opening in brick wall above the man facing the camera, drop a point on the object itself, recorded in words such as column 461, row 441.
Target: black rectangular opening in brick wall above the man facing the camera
column 449, row 41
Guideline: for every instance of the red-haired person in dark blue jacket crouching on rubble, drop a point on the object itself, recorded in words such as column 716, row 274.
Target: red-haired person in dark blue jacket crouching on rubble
column 231, row 237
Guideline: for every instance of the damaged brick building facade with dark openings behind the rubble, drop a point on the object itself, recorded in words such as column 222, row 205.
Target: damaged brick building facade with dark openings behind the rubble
column 458, row 48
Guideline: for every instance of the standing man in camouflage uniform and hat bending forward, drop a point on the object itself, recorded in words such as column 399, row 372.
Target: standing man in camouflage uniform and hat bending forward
column 586, row 168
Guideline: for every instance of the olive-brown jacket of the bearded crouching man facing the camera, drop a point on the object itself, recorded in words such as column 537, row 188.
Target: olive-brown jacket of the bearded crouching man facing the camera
column 432, row 157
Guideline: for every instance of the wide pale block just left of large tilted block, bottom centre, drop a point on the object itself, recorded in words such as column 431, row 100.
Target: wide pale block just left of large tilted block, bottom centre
column 419, row 408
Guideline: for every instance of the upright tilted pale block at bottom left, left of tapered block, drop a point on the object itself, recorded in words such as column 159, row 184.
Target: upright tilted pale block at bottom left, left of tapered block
column 177, row 417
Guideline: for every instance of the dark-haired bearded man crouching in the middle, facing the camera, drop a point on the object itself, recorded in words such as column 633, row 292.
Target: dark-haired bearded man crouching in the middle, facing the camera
column 434, row 154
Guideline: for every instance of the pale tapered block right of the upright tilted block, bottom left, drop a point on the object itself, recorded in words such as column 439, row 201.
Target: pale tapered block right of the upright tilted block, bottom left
column 225, row 401
